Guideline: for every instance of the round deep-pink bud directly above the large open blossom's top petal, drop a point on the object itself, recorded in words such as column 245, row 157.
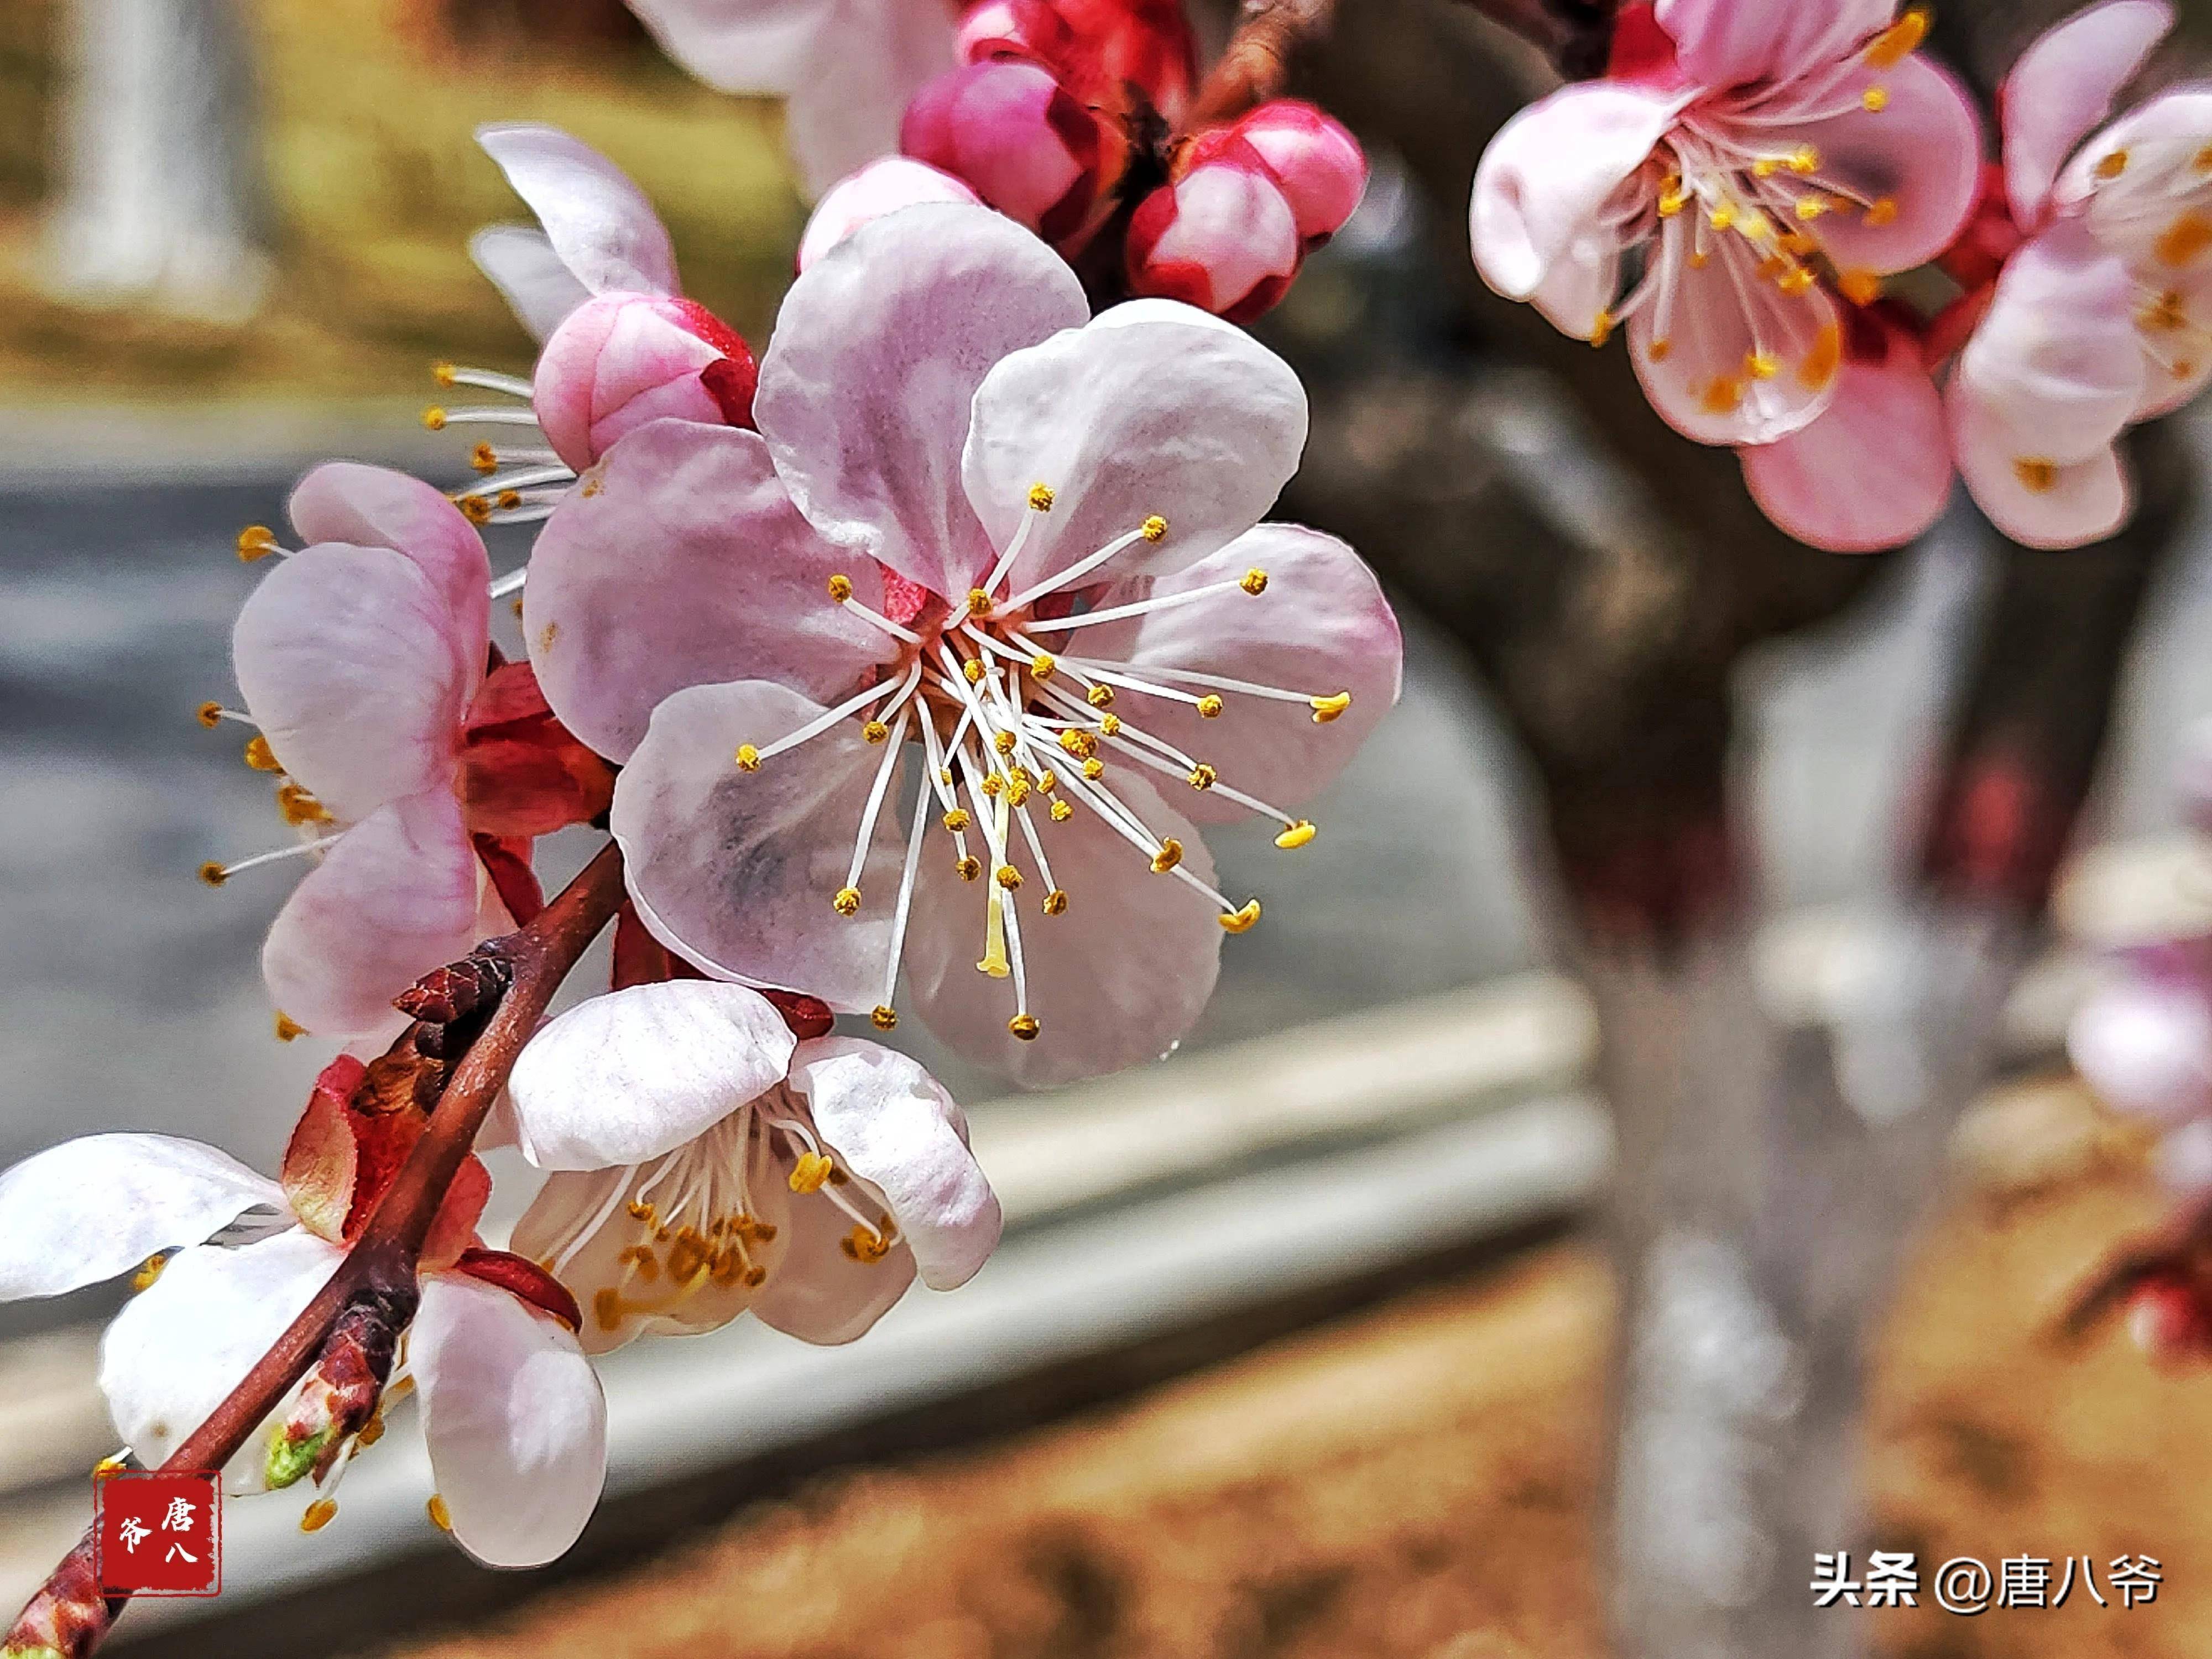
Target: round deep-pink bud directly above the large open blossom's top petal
column 1010, row 132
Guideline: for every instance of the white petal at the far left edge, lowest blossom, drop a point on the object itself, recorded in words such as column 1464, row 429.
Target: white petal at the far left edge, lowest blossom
column 103, row 1204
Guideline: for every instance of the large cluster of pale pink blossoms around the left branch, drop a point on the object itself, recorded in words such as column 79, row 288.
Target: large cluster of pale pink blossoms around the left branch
column 904, row 665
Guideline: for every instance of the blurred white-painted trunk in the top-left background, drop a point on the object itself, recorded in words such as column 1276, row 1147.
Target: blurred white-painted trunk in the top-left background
column 156, row 189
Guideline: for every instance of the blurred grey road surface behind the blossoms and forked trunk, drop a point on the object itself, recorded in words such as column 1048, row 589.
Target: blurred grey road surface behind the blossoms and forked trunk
column 134, row 997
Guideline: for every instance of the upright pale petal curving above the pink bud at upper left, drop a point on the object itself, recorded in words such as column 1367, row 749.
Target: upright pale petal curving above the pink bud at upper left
column 596, row 218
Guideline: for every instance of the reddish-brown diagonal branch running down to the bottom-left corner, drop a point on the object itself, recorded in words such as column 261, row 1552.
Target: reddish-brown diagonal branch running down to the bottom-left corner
column 384, row 1260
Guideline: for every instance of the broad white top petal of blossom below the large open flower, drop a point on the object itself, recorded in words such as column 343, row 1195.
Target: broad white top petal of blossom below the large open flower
column 636, row 1074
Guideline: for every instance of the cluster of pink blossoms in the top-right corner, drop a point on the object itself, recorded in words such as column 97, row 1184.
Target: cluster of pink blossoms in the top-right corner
column 1771, row 169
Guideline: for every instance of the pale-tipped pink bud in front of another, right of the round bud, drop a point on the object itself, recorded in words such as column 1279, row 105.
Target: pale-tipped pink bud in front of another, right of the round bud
column 1220, row 238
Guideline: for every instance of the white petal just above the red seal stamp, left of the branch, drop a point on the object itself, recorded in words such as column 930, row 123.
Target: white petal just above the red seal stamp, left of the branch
column 191, row 1337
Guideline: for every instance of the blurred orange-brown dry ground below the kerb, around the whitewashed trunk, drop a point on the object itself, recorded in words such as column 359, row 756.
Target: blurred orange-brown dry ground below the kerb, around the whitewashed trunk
column 1419, row 1483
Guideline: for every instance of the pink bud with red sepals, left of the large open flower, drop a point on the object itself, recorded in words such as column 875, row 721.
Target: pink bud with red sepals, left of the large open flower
column 625, row 359
